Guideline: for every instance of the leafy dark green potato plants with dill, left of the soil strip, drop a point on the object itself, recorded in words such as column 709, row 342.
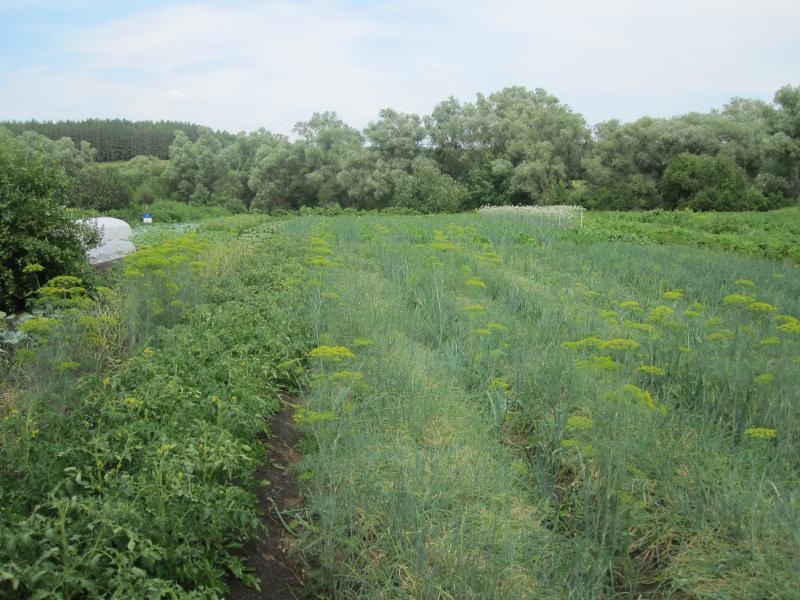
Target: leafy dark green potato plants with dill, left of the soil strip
column 130, row 423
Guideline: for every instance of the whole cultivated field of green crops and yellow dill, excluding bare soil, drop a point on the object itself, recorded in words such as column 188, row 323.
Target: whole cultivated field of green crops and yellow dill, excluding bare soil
column 491, row 409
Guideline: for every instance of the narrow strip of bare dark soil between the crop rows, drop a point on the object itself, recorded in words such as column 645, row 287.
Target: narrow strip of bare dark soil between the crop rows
column 280, row 577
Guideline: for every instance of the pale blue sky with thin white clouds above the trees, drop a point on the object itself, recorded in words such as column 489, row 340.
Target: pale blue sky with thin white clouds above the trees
column 242, row 65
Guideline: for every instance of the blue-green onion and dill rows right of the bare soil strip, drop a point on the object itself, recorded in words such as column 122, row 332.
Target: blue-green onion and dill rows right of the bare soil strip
column 538, row 417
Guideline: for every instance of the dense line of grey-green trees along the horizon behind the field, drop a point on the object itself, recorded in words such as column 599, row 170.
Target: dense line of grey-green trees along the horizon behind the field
column 515, row 146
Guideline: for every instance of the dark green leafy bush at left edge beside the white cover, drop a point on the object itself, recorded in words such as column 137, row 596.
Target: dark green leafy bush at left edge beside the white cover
column 38, row 240
